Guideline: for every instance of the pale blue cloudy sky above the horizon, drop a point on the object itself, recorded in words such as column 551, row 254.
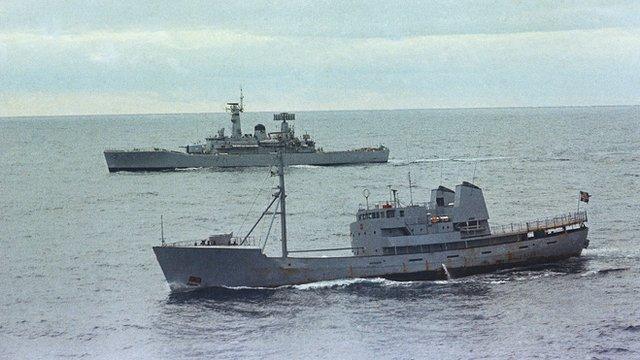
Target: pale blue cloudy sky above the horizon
column 94, row 57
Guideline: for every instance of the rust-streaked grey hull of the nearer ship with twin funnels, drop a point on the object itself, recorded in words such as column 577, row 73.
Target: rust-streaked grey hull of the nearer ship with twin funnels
column 189, row 267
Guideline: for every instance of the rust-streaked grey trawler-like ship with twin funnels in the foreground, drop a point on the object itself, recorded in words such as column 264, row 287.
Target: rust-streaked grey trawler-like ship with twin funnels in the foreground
column 449, row 236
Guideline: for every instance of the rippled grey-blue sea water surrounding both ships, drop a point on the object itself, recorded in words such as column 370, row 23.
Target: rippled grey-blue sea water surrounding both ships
column 79, row 279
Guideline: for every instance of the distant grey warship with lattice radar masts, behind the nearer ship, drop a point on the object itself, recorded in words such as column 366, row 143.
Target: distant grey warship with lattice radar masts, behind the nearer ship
column 242, row 150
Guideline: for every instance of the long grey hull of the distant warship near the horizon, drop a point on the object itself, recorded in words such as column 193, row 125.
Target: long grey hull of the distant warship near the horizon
column 159, row 160
